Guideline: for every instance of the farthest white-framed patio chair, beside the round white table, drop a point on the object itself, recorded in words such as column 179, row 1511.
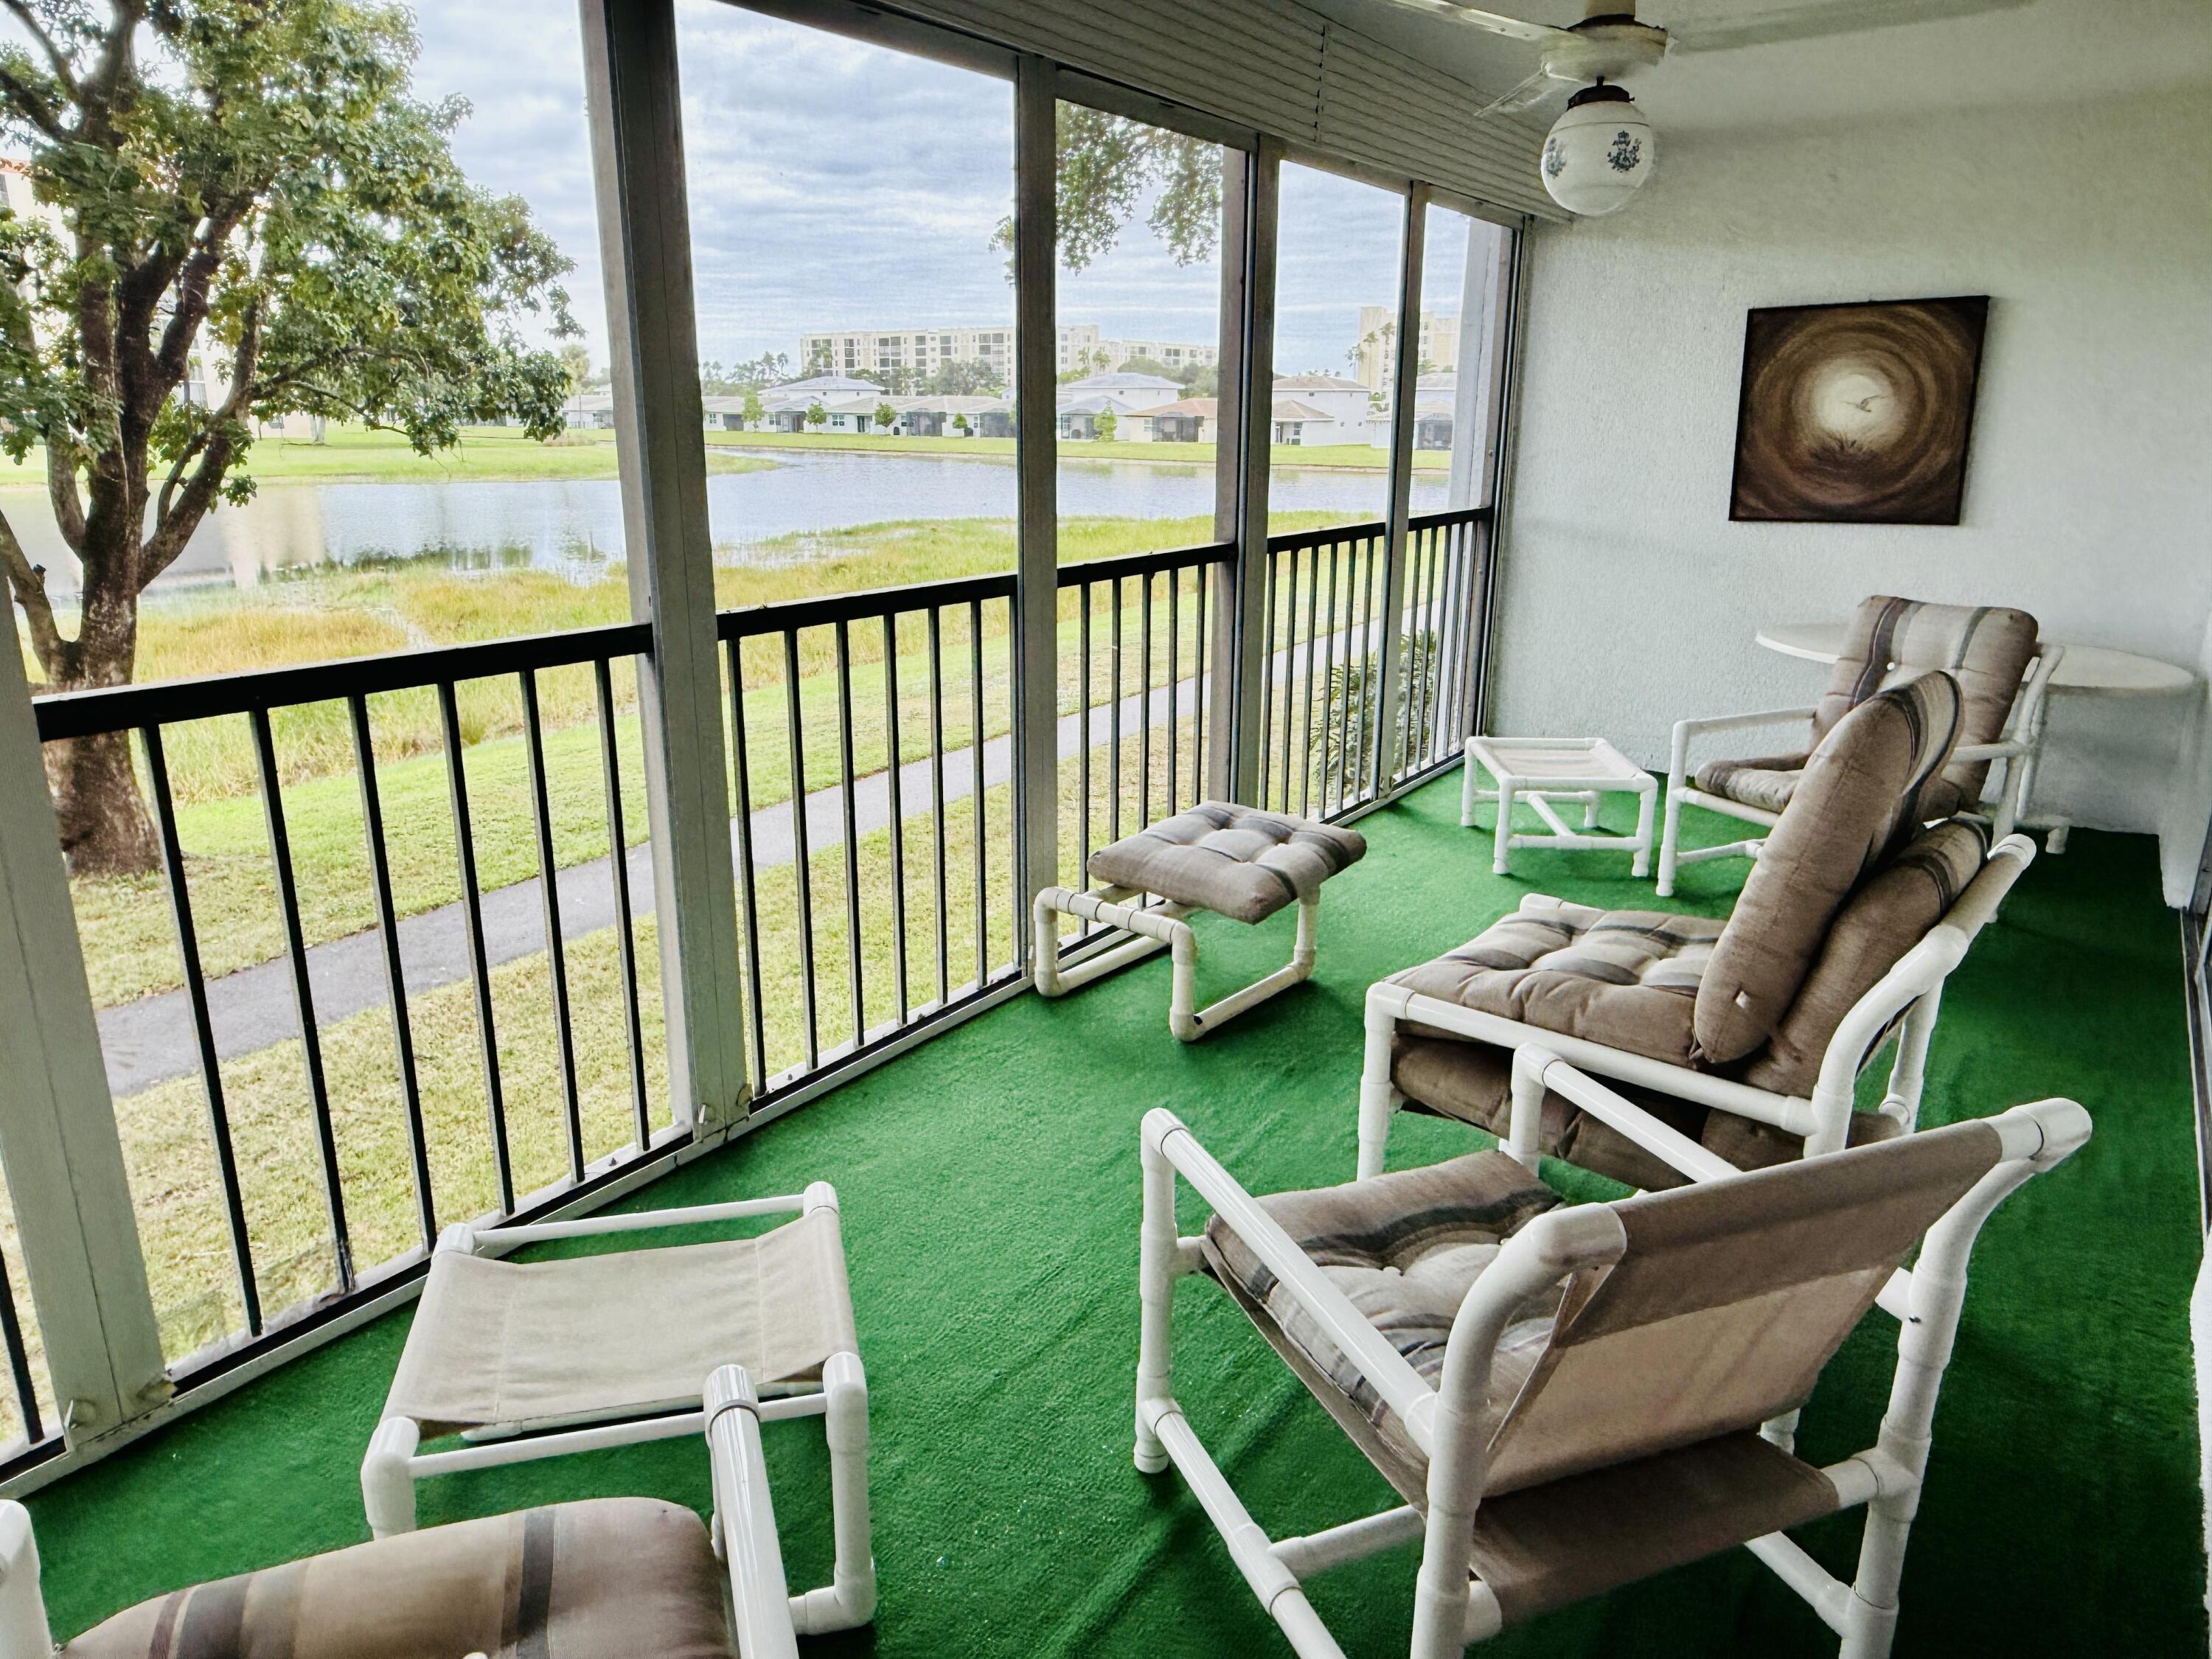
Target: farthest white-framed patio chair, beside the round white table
column 2003, row 671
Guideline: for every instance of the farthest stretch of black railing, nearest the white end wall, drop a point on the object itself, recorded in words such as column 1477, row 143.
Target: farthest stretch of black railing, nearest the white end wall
column 1324, row 747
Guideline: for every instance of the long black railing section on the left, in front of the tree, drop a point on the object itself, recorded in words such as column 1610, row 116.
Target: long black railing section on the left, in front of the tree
column 501, row 685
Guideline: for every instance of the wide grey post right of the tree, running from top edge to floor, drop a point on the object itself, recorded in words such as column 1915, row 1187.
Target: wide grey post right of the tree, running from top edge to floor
column 645, row 240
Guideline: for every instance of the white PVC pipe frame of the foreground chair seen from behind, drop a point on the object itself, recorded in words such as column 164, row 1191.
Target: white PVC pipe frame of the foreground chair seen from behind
column 1452, row 1605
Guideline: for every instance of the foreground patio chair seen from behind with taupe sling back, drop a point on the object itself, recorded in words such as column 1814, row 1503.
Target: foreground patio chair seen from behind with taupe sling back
column 1574, row 1399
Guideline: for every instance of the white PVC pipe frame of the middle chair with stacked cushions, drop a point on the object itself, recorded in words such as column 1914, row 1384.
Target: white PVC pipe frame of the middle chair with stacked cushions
column 1910, row 997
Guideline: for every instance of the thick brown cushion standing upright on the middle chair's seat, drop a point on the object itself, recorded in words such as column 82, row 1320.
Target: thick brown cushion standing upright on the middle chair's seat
column 1861, row 795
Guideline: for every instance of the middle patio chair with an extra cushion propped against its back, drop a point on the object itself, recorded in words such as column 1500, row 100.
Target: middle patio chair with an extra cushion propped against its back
column 1744, row 1036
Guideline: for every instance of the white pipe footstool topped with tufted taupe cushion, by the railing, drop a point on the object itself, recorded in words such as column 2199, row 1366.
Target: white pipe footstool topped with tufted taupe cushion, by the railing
column 1229, row 859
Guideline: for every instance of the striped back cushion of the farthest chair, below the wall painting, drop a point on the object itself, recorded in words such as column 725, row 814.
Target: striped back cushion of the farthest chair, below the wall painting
column 1985, row 649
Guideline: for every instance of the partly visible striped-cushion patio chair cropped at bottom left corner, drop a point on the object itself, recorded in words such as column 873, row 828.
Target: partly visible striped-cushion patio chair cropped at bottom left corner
column 609, row 1578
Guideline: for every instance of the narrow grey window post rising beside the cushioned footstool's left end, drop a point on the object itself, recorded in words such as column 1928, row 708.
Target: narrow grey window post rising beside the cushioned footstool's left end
column 1036, row 384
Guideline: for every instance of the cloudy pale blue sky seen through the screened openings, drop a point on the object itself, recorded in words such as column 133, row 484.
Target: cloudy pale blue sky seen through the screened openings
column 837, row 185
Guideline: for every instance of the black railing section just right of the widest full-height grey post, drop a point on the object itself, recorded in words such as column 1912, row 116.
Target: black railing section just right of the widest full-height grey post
column 921, row 758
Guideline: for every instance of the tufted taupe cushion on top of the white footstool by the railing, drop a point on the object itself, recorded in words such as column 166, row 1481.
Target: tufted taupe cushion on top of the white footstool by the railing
column 1231, row 859
